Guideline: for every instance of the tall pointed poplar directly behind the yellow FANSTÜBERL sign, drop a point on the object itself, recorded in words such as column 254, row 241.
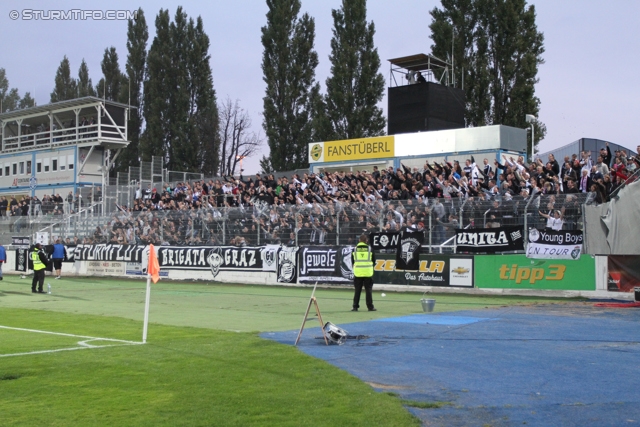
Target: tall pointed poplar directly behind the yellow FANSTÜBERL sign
column 355, row 86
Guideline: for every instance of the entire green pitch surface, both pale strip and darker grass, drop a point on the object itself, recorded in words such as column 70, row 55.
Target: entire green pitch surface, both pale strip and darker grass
column 194, row 370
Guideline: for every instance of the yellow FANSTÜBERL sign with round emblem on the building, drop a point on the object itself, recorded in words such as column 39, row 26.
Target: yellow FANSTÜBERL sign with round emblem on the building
column 378, row 147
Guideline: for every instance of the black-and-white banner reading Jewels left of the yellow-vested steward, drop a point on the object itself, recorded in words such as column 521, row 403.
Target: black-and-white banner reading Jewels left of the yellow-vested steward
column 325, row 264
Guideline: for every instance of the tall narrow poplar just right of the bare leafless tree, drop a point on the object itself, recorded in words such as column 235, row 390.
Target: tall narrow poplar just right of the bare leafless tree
column 289, row 65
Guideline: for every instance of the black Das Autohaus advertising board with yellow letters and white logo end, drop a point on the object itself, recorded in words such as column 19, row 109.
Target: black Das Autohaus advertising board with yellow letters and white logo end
column 432, row 270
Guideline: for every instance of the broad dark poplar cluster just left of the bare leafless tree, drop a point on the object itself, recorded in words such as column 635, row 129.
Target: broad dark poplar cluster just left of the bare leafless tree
column 179, row 102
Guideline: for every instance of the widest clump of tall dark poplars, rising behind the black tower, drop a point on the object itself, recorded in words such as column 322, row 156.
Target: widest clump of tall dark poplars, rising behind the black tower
column 496, row 49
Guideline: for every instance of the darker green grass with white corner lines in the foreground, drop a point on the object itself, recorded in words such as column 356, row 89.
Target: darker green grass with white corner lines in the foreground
column 184, row 376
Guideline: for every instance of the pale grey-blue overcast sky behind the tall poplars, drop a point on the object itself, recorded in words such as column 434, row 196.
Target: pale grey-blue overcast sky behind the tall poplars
column 588, row 85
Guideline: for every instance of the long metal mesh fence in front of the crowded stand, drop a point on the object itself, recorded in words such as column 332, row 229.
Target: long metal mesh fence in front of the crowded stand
column 317, row 224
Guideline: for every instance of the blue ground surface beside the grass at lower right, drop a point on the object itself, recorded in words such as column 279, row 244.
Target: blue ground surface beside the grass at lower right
column 534, row 366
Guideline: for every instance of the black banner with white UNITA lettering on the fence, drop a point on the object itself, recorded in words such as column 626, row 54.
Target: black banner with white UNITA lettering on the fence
column 490, row 240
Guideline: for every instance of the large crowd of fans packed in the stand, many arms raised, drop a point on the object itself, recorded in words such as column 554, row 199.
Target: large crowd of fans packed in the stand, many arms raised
column 336, row 207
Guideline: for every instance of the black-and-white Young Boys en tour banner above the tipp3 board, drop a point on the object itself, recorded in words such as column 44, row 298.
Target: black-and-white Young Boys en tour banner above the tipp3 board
column 551, row 244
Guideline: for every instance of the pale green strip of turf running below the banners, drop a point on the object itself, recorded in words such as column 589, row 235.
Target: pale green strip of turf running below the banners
column 243, row 308
